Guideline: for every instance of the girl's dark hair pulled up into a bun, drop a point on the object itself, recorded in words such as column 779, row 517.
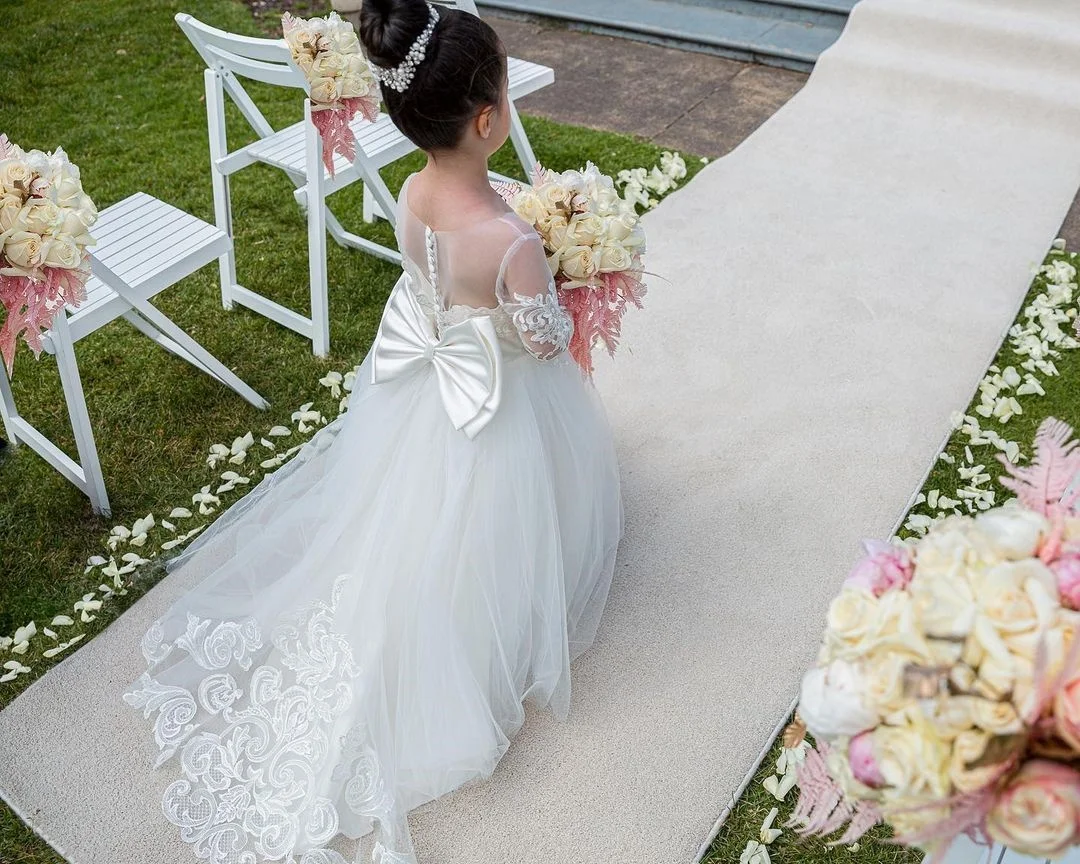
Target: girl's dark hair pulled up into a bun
column 464, row 70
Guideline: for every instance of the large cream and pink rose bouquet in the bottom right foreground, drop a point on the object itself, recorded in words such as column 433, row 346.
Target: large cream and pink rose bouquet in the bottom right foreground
column 947, row 695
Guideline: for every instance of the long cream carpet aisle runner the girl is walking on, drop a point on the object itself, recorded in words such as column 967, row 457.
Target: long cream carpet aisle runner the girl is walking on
column 838, row 287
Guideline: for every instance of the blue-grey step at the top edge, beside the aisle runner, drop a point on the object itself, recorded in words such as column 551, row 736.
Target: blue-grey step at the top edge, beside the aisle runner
column 779, row 33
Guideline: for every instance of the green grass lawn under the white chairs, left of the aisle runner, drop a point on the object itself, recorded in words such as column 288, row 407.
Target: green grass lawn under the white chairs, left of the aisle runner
column 116, row 84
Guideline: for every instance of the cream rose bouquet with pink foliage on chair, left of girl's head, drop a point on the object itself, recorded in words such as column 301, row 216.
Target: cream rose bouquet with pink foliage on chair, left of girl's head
column 341, row 82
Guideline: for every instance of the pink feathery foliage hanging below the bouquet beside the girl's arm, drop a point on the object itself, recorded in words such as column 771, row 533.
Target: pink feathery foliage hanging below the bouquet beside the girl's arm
column 598, row 310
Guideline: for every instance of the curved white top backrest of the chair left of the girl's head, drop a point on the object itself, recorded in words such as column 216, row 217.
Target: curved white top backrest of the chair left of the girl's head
column 268, row 61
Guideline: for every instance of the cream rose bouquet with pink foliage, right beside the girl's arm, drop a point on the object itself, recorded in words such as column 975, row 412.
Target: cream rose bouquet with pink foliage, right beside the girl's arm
column 596, row 246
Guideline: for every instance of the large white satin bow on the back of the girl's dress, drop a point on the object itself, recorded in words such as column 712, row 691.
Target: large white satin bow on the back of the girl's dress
column 467, row 359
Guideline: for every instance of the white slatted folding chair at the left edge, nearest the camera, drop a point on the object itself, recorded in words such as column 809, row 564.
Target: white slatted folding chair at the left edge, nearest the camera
column 144, row 246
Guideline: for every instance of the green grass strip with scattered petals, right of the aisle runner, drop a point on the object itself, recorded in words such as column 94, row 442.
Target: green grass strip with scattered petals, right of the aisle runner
column 1062, row 400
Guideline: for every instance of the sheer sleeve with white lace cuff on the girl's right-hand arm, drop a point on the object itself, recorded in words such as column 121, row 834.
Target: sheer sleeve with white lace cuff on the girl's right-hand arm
column 526, row 291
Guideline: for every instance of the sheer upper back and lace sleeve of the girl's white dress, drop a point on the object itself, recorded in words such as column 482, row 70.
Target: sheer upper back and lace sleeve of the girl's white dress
column 496, row 267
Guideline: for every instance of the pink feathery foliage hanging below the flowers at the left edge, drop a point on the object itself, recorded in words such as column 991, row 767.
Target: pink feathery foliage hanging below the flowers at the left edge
column 31, row 305
